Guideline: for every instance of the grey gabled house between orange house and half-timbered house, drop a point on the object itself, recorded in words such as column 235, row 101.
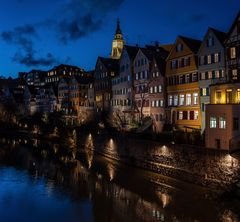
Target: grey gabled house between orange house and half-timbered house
column 211, row 65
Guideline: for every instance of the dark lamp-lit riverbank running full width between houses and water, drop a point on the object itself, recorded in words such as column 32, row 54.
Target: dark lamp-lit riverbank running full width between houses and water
column 214, row 169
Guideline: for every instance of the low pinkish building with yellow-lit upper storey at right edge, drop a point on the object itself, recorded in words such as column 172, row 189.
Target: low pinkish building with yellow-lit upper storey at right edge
column 222, row 117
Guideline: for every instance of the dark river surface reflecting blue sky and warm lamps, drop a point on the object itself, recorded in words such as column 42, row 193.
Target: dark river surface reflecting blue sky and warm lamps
column 97, row 189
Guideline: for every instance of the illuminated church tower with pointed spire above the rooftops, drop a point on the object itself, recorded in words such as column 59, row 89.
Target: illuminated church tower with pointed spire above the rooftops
column 118, row 42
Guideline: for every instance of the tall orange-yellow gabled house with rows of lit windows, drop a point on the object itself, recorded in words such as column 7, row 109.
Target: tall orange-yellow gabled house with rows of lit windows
column 183, row 88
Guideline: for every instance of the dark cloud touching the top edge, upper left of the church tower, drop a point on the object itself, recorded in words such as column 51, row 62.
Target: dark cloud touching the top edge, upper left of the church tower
column 82, row 18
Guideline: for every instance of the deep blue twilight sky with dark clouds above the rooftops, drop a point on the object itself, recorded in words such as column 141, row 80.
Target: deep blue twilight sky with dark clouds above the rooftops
column 38, row 34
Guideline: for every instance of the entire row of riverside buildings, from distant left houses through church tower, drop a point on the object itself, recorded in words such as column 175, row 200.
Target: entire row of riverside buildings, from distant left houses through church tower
column 190, row 84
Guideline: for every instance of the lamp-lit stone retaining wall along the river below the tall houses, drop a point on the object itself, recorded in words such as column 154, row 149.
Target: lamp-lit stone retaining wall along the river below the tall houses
column 188, row 163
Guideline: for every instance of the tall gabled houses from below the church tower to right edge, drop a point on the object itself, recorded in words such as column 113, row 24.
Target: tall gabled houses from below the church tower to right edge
column 185, row 84
